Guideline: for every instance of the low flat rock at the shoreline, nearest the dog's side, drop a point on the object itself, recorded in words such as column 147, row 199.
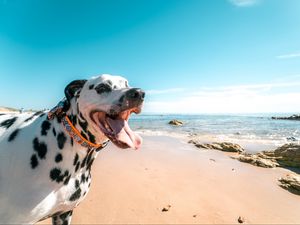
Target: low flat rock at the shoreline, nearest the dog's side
column 222, row 146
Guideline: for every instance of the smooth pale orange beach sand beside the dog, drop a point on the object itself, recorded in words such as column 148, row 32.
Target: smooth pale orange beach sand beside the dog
column 195, row 186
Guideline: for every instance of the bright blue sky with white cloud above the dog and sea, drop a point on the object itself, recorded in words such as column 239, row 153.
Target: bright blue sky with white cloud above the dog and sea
column 201, row 56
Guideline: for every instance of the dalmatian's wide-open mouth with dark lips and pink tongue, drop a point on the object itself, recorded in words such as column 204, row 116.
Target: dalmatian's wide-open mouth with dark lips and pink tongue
column 116, row 128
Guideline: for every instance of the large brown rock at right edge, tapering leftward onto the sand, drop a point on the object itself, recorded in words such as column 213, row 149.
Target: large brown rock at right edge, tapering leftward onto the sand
column 287, row 155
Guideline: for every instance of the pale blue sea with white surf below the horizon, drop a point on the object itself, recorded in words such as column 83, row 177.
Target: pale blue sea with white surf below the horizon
column 244, row 127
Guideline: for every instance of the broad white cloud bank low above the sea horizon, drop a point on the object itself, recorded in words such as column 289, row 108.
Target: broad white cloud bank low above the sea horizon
column 233, row 99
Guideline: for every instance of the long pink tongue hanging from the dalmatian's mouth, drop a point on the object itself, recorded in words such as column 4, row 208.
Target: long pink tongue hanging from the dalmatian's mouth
column 124, row 133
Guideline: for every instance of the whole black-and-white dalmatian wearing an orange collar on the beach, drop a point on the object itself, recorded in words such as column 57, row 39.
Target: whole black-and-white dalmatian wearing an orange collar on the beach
column 46, row 157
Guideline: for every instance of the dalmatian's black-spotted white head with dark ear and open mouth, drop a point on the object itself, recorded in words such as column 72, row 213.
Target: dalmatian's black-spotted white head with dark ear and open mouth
column 105, row 103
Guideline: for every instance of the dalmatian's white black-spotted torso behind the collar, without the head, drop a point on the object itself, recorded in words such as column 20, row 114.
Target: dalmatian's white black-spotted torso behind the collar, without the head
column 28, row 190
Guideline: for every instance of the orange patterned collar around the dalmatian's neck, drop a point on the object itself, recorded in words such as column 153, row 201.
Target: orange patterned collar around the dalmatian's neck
column 70, row 129
